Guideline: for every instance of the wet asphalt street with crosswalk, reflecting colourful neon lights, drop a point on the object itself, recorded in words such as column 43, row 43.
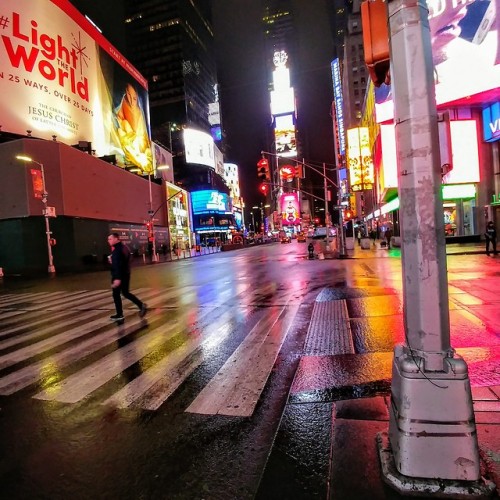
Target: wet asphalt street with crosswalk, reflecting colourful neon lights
column 185, row 403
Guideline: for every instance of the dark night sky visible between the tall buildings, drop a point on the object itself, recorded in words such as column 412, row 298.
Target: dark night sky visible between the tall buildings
column 243, row 79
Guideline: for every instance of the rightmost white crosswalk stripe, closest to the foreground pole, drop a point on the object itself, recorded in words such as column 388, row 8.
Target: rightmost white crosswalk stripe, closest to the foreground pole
column 237, row 386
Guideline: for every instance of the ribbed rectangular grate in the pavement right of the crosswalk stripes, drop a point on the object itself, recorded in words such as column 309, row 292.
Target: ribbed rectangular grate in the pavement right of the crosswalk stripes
column 329, row 331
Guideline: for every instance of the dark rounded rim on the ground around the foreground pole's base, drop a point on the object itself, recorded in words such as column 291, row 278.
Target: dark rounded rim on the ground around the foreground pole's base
column 437, row 488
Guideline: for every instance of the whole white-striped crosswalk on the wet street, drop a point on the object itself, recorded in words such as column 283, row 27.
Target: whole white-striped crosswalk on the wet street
column 62, row 347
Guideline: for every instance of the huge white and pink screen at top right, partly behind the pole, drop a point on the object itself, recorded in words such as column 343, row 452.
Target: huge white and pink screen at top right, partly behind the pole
column 465, row 49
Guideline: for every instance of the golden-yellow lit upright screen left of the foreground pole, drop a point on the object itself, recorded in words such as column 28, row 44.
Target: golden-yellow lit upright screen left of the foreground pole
column 360, row 159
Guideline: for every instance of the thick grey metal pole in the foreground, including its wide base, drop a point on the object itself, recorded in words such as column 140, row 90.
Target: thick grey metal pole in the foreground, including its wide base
column 432, row 430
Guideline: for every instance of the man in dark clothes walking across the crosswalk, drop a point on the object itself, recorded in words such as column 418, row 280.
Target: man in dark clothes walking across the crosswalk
column 120, row 277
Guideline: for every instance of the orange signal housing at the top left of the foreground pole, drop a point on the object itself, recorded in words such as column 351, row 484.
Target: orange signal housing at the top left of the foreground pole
column 374, row 19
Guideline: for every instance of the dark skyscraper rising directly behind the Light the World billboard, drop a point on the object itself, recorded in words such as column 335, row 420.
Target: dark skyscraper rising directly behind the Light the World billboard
column 171, row 42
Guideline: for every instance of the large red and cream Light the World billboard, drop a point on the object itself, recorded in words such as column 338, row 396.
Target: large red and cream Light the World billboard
column 60, row 78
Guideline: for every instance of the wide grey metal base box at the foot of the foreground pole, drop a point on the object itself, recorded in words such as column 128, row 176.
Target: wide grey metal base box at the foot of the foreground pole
column 432, row 427
